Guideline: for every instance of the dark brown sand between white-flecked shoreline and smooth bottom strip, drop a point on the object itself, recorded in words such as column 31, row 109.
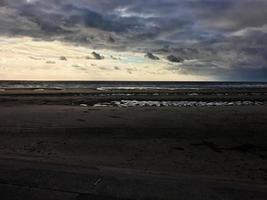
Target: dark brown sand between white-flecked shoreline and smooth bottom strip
column 228, row 143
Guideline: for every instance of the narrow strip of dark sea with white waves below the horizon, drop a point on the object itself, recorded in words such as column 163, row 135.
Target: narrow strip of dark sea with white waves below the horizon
column 108, row 85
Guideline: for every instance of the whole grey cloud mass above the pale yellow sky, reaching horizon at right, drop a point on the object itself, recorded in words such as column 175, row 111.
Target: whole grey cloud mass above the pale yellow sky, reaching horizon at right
column 226, row 39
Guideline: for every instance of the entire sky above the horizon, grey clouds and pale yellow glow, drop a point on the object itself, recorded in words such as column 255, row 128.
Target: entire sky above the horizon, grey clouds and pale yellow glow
column 152, row 40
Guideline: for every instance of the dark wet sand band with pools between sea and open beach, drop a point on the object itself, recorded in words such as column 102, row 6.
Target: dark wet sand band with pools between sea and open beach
column 90, row 97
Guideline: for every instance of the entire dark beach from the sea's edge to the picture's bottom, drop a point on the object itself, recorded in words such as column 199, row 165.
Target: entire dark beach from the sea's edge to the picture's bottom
column 82, row 144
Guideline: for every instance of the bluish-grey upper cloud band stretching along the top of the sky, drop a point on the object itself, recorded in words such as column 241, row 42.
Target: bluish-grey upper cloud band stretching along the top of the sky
column 155, row 19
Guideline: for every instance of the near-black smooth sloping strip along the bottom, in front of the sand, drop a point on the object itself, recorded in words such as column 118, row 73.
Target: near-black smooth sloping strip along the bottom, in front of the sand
column 29, row 180
